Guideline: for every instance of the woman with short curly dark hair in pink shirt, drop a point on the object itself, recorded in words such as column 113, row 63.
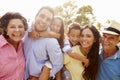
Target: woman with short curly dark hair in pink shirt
column 12, row 61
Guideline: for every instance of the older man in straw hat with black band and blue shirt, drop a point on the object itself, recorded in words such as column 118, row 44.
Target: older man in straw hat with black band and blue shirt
column 110, row 54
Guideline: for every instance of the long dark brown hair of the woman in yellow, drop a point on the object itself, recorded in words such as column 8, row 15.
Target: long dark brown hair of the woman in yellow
column 91, row 71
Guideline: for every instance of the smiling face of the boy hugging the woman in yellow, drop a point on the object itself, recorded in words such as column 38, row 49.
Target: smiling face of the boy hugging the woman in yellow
column 74, row 36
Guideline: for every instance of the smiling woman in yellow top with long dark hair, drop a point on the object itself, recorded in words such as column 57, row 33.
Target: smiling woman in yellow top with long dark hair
column 89, row 47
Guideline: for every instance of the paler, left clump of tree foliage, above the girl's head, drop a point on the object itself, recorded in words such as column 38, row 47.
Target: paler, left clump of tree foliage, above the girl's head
column 67, row 11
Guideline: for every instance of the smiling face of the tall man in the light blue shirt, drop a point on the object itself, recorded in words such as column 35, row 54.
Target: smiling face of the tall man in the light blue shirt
column 43, row 20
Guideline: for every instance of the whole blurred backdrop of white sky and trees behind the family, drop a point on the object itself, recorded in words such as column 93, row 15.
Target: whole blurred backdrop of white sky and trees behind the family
column 96, row 12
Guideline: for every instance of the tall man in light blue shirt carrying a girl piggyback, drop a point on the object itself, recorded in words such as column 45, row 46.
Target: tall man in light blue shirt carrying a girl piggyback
column 43, row 51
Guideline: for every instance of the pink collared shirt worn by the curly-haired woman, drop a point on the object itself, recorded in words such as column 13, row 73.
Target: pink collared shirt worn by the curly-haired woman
column 12, row 62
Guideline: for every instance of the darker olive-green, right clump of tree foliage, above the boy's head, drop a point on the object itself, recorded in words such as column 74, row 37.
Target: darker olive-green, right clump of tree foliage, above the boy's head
column 85, row 15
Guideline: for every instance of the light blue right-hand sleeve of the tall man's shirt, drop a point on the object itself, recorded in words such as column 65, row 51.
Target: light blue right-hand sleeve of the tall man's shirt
column 55, row 55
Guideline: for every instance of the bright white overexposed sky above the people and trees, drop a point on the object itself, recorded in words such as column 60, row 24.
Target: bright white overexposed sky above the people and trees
column 102, row 9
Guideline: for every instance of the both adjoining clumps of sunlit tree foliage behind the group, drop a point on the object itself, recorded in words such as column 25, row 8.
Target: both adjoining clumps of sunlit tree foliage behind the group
column 71, row 12
